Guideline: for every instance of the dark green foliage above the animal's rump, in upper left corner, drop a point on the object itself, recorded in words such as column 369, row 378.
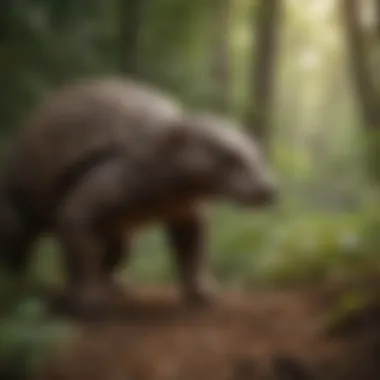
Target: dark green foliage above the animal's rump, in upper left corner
column 45, row 44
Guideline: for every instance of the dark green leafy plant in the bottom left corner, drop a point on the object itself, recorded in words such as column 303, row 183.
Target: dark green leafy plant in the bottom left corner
column 27, row 335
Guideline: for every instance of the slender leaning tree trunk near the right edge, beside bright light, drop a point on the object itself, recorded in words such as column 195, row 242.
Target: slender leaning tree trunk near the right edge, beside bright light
column 367, row 95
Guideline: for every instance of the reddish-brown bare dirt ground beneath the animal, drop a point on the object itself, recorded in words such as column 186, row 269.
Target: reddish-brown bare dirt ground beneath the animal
column 279, row 334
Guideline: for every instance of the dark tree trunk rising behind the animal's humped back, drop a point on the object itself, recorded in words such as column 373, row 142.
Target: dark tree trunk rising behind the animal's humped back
column 130, row 25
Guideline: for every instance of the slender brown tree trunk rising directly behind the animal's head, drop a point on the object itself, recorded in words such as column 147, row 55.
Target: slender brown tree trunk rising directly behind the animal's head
column 258, row 118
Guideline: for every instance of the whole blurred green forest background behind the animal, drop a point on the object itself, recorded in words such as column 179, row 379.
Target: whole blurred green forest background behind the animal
column 302, row 74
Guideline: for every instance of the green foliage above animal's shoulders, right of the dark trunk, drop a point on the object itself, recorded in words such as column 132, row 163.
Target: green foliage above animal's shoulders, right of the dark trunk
column 175, row 36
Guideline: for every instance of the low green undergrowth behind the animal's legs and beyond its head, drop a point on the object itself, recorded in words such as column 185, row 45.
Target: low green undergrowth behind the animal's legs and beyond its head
column 250, row 248
